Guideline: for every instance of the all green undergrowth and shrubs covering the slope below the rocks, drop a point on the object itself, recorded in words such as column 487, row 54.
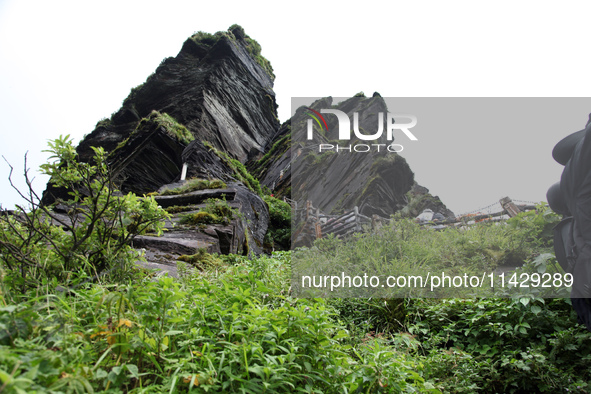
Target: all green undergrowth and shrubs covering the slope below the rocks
column 234, row 325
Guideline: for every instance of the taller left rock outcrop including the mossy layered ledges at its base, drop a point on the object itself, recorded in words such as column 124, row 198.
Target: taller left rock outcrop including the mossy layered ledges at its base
column 209, row 108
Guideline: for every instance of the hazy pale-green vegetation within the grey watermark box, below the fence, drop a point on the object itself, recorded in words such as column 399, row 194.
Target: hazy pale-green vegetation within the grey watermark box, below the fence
column 407, row 248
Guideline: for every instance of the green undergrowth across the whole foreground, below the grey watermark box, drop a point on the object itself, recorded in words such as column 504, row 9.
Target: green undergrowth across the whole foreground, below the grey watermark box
column 237, row 329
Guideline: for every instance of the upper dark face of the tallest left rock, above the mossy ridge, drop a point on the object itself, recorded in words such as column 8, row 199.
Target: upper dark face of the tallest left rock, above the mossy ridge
column 218, row 86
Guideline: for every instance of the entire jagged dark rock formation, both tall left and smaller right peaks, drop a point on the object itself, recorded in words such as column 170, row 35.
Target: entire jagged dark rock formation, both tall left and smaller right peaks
column 210, row 114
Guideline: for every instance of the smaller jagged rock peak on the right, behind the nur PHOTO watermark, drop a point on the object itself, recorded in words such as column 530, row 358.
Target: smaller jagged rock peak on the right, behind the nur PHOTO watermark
column 379, row 183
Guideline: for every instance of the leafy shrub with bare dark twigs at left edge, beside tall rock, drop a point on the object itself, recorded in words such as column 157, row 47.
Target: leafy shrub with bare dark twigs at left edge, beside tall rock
column 38, row 245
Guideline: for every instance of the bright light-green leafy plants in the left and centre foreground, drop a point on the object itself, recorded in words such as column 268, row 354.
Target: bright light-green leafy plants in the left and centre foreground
column 238, row 333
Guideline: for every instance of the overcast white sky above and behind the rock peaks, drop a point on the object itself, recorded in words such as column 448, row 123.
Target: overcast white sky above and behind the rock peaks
column 64, row 65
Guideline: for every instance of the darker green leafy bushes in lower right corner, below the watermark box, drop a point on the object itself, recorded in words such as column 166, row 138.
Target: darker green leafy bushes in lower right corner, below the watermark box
column 506, row 345
